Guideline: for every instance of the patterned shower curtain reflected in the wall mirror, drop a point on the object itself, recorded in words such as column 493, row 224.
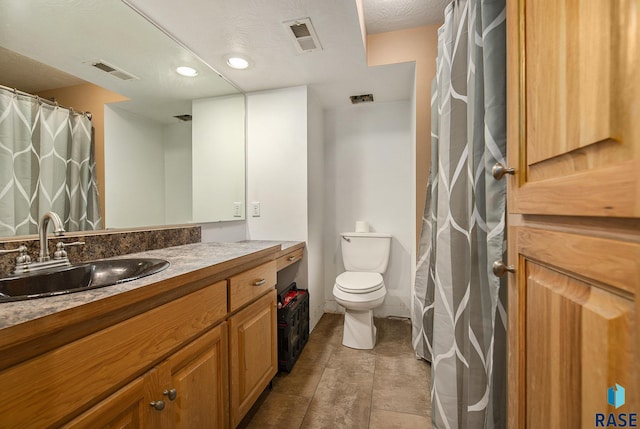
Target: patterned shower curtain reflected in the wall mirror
column 46, row 164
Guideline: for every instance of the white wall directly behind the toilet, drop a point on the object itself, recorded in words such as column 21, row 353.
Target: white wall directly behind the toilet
column 368, row 176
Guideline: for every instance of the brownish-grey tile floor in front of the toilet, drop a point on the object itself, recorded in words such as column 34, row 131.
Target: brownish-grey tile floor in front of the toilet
column 332, row 386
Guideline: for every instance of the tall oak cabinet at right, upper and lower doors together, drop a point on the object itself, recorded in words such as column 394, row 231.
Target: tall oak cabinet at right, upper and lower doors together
column 574, row 210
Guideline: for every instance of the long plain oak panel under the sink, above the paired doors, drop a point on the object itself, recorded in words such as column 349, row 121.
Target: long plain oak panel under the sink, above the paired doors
column 49, row 389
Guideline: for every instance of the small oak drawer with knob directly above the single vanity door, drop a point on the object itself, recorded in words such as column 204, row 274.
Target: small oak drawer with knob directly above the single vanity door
column 246, row 286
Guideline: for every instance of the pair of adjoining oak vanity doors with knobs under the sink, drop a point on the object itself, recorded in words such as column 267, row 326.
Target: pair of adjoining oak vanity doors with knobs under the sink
column 187, row 390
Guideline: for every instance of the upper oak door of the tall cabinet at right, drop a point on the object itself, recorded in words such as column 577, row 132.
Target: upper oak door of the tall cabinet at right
column 573, row 127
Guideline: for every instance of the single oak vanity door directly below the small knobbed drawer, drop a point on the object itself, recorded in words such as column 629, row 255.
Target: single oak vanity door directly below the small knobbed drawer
column 253, row 353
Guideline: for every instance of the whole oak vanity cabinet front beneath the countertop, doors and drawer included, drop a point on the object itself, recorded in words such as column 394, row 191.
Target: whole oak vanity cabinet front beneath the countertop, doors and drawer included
column 198, row 361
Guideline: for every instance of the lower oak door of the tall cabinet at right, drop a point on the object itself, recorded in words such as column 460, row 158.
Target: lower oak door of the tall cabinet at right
column 572, row 328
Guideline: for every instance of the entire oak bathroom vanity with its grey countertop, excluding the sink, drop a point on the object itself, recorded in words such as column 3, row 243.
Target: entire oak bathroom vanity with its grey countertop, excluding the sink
column 192, row 346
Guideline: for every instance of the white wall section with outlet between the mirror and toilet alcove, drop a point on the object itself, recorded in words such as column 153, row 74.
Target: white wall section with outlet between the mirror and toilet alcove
column 277, row 164
